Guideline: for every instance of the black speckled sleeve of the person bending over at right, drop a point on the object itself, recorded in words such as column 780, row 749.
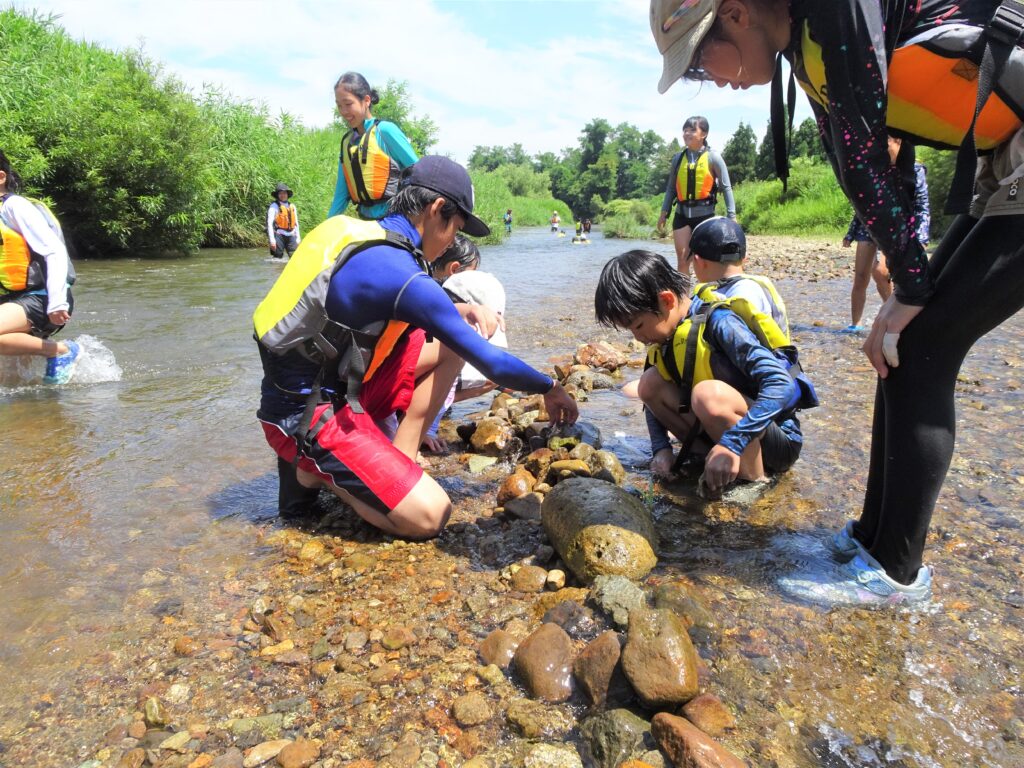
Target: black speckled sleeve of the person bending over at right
column 843, row 42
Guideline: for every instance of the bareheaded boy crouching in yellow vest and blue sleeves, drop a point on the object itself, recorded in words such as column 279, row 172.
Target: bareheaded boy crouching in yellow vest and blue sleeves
column 714, row 365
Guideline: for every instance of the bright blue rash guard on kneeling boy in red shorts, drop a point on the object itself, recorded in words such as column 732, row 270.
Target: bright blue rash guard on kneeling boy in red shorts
column 367, row 290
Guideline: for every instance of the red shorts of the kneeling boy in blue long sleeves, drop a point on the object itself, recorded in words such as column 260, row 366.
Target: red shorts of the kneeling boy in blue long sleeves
column 351, row 452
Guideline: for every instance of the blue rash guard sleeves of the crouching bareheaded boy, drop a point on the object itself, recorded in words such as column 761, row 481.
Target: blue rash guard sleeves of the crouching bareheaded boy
column 739, row 360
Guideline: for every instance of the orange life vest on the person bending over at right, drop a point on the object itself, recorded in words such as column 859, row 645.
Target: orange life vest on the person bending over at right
column 932, row 89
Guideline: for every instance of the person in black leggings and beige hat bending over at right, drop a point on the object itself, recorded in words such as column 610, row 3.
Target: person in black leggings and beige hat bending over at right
column 913, row 70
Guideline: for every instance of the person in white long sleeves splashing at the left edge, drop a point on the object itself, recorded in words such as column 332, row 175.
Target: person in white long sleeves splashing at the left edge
column 35, row 281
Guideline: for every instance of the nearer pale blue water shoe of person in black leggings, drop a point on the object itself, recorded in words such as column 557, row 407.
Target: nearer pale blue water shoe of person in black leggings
column 861, row 583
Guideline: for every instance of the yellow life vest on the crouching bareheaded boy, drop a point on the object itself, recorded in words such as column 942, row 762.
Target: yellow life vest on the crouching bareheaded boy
column 686, row 360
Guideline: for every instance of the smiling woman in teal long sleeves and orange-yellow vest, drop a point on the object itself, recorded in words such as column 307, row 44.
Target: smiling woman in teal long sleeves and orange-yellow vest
column 374, row 152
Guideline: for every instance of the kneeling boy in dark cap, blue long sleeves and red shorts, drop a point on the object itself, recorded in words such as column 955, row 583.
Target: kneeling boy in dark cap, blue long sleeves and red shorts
column 337, row 444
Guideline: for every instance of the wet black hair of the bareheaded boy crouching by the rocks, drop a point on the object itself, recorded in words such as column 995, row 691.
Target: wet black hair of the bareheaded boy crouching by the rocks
column 630, row 284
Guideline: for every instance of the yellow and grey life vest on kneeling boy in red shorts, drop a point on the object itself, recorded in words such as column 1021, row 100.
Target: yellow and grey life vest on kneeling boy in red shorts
column 293, row 316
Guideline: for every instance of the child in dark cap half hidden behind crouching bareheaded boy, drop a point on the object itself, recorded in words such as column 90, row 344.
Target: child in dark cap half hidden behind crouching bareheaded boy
column 719, row 249
